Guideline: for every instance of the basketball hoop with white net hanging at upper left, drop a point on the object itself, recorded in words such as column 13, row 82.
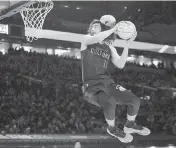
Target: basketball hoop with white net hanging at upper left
column 34, row 15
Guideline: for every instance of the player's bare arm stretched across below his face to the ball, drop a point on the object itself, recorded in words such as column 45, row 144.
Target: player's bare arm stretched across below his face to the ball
column 99, row 37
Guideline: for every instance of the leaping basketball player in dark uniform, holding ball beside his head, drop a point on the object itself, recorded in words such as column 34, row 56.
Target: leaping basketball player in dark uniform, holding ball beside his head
column 98, row 86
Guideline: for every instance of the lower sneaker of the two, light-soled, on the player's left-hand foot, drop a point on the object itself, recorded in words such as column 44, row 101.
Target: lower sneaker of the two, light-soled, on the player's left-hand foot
column 117, row 133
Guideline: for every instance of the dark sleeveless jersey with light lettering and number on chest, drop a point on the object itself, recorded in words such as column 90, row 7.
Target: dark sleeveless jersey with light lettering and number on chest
column 95, row 60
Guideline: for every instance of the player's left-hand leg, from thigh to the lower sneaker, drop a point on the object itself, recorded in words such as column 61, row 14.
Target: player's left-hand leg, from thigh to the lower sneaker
column 108, row 104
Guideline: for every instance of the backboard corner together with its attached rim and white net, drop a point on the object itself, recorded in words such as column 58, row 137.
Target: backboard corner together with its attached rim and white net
column 33, row 13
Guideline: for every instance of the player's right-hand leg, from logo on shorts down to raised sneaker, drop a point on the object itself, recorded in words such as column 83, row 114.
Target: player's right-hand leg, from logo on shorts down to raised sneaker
column 123, row 96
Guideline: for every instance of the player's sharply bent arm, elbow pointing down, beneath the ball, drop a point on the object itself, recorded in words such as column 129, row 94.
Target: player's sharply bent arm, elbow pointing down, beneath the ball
column 120, row 61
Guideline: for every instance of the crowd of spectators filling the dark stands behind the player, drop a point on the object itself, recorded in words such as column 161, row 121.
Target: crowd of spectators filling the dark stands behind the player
column 41, row 93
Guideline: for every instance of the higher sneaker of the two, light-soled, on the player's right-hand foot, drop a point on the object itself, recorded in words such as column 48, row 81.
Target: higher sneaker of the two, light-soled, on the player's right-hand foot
column 131, row 127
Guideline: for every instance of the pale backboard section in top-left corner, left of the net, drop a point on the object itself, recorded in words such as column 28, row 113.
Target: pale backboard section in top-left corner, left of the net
column 11, row 7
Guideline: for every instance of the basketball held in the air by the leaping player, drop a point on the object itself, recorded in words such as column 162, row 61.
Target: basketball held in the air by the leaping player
column 125, row 30
